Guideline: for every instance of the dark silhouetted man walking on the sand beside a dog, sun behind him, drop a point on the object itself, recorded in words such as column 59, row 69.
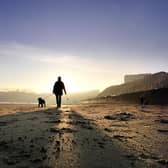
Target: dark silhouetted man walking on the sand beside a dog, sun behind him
column 58, row 91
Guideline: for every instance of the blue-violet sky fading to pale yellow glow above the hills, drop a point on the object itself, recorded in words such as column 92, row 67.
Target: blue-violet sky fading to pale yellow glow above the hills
column 91, row 44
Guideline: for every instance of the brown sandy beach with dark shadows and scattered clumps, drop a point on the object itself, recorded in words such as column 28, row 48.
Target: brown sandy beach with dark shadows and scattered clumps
column 84, row 136
